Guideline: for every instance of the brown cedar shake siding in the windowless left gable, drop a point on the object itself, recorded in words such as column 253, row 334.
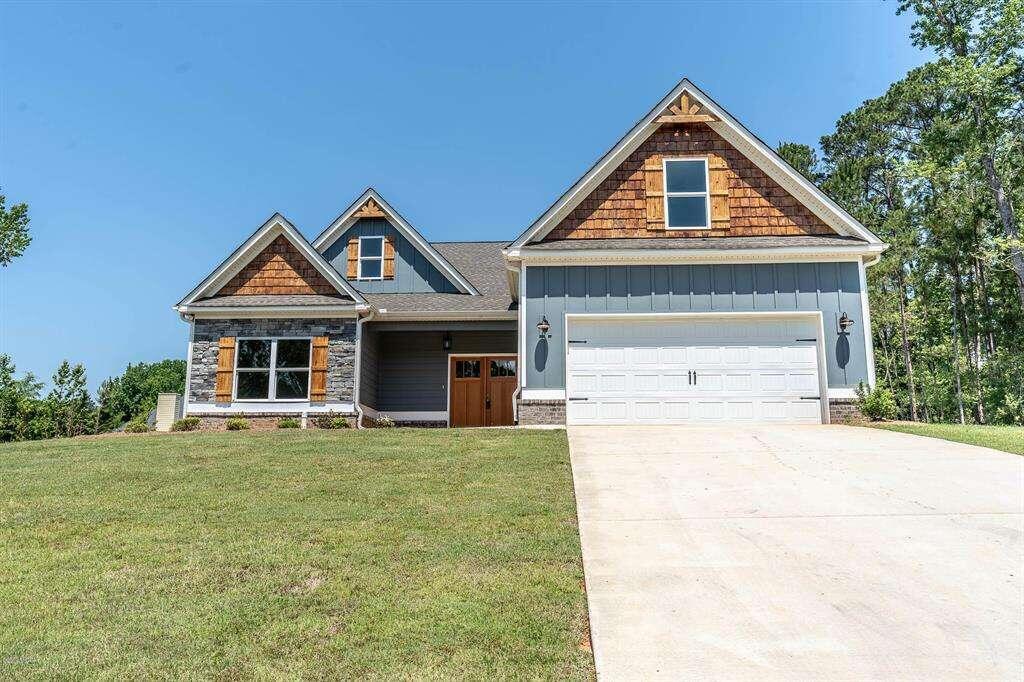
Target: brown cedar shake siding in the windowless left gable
column 279, row 270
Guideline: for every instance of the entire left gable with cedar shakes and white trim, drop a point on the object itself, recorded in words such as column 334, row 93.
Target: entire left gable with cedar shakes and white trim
column 275, row 261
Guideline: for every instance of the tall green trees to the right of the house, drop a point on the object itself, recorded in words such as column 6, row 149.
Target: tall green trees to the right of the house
column 935, row 167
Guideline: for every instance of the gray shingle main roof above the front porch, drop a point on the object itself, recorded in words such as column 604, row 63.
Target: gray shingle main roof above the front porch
column 481, row 263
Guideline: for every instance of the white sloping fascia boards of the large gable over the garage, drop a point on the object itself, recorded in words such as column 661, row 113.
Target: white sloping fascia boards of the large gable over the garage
column 733, row 132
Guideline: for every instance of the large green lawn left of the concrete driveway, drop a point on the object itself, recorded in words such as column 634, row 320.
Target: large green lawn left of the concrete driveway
column 292, row 555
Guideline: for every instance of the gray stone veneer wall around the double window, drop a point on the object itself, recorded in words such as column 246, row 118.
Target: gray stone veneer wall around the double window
column 340, row 362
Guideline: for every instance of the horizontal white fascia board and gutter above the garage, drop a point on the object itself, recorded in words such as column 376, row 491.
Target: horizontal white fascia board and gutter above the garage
column 694, row 257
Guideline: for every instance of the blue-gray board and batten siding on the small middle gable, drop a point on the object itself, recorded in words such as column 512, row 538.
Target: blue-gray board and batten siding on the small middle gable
column 413, row 273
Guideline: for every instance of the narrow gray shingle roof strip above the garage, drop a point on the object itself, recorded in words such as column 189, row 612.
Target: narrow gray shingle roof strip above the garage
column 699, row 243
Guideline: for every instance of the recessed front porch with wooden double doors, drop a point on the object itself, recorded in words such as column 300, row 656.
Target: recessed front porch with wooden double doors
column 414, row 372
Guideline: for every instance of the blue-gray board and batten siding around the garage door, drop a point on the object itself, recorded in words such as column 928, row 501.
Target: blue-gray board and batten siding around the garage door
column 829, row 287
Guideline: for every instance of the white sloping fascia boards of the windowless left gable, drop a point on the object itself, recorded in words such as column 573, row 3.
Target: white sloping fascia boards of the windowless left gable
column 270, row 231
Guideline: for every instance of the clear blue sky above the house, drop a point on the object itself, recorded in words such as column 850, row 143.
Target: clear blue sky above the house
column 150, row 140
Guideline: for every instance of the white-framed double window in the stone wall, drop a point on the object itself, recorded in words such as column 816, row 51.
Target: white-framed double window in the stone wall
column 273, row 370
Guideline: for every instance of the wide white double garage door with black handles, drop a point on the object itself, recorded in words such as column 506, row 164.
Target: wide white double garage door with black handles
column 693, row 370
